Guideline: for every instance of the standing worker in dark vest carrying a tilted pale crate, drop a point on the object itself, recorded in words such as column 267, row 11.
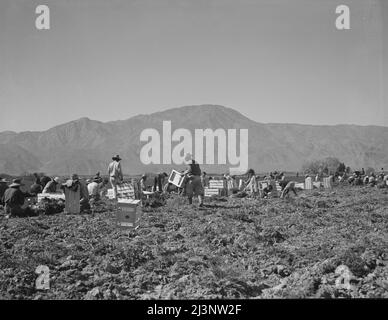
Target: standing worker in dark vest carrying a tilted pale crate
column 193, row 185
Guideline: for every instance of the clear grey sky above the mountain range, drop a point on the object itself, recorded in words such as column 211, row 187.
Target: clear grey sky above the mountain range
column 273, row 61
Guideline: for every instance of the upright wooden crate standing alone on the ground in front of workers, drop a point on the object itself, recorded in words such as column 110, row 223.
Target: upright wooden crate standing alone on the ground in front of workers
column 129, row 213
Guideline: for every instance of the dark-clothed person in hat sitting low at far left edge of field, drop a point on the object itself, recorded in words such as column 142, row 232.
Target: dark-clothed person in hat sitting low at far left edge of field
column 14, row 198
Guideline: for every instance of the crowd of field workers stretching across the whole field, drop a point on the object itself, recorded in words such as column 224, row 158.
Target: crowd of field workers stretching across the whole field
column 195, row 181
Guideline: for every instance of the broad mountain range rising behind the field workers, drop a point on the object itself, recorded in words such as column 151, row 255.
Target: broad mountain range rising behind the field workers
column 86, row 146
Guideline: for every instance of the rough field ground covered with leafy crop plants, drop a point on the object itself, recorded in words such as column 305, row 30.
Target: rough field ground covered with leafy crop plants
column 324, row 244
